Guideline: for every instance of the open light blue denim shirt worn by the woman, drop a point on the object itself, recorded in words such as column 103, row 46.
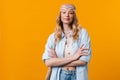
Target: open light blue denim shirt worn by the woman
column 81, row 71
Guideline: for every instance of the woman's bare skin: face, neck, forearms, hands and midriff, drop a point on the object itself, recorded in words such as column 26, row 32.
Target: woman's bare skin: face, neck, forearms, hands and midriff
column 71, row 62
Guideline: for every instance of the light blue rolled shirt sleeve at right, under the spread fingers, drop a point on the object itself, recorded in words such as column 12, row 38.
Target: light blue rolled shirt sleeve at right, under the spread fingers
column 85, row 39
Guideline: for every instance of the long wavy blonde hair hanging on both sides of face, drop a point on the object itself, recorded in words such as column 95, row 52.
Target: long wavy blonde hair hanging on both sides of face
column 74, row 26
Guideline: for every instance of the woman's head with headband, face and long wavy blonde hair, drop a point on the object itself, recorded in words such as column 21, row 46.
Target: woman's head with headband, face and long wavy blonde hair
column 67, row 15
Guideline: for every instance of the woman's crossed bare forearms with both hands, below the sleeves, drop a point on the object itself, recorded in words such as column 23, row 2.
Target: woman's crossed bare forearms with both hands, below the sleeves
column 72, row 61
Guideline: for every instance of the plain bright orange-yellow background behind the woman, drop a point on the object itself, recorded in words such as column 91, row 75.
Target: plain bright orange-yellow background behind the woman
column 26, row 24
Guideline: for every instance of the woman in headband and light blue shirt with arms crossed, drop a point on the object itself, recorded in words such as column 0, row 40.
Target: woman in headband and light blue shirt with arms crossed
column 68, row 49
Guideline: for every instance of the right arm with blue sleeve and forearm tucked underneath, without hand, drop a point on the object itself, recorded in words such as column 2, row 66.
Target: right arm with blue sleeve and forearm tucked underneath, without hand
column 83, row 60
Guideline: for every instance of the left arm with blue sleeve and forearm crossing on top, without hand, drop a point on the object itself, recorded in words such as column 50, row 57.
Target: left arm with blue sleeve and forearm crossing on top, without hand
column 50, row 61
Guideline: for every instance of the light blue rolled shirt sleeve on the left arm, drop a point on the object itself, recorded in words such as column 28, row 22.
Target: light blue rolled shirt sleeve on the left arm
column 50, row 44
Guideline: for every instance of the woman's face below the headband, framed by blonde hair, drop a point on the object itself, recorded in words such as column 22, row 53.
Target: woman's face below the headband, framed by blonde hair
column 67, row 16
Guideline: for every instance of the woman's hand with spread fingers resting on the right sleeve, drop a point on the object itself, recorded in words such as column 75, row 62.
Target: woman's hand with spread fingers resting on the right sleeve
column 80, row 52
